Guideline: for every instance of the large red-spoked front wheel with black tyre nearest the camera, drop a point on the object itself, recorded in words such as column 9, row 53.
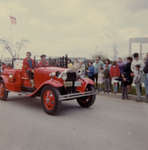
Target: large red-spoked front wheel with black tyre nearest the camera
column 50, row 100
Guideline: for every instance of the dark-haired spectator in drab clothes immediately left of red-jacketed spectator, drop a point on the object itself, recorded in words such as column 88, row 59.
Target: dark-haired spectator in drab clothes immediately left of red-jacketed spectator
column 107, row 85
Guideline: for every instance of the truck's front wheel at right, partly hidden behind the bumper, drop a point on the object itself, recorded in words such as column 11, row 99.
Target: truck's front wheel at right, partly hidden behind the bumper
column 87, row 101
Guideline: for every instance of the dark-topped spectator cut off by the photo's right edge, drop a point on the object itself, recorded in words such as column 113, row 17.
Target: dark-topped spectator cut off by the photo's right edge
column 145, row 70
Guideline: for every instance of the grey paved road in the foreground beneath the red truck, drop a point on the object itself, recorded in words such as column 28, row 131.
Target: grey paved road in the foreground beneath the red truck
column 111, row 124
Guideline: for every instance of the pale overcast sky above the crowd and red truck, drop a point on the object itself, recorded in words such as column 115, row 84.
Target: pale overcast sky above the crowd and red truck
column 75, row 27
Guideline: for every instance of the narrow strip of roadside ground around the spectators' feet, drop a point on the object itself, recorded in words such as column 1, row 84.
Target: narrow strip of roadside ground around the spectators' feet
column 119, row 95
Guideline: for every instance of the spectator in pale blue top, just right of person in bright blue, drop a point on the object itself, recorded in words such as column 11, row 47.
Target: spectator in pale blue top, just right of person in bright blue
column 97, row 65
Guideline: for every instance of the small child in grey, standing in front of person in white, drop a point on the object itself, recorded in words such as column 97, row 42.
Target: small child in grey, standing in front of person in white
column 137, row 81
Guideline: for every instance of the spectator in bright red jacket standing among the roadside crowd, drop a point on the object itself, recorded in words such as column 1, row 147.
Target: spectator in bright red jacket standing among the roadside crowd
column 115, row 74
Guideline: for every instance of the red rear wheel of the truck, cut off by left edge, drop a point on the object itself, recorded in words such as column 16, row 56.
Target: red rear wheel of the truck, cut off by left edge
column 3, row 91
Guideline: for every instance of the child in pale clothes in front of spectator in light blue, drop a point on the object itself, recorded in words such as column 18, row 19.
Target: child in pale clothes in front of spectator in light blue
column 100, row 79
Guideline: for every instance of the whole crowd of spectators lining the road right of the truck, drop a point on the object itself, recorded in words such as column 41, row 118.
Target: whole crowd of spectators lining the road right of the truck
column 109, row 76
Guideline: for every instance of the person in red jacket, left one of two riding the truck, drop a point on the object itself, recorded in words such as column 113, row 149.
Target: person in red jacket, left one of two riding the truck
column 28, row 66
